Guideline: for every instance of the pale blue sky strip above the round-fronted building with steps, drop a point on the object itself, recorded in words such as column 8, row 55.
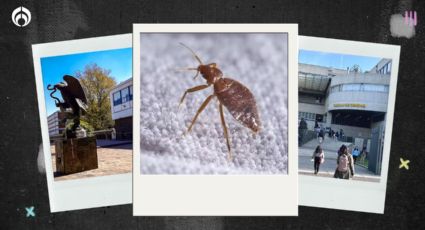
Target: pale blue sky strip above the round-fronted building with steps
column 339, row 61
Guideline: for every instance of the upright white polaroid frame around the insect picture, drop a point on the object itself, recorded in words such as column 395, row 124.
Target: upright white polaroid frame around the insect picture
column 214, row 195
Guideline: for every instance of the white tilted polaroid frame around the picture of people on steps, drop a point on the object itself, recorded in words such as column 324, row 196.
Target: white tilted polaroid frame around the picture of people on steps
column 354, row 195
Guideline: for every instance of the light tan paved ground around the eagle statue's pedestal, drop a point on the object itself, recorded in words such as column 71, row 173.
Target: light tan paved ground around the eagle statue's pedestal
column 111, row 161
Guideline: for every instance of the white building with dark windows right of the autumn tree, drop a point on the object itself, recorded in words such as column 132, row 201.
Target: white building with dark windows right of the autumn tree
column 121, row 97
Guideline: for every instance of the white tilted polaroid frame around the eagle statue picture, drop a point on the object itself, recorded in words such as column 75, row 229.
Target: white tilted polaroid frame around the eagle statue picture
column 89, row 192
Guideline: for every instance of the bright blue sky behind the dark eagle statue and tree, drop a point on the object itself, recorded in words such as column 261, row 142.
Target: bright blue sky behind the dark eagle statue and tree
column 118, row 61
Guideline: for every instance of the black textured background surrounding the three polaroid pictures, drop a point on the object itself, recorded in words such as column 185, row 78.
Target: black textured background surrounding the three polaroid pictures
column 21, row 185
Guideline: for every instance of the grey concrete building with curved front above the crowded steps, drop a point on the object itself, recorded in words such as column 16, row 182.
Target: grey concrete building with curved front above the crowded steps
column 351, row 100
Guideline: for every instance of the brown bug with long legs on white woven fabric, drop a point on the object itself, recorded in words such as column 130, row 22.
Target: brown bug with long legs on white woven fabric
column 237, row 98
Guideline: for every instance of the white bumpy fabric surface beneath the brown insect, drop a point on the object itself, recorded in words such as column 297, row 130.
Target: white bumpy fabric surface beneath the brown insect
column 259, row 61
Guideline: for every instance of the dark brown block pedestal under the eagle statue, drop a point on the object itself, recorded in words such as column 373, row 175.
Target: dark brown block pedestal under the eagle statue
column 76, row 155
